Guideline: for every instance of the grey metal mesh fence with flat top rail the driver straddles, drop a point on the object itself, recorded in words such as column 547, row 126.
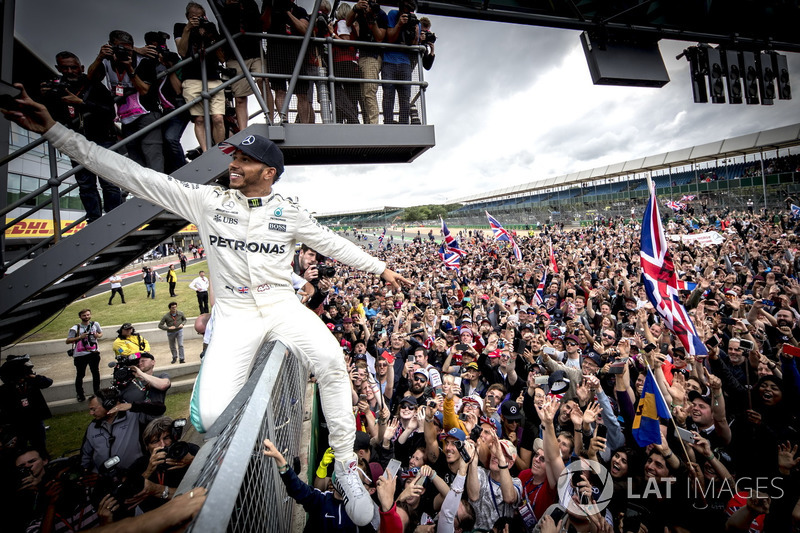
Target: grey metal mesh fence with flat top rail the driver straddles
column 245, row 492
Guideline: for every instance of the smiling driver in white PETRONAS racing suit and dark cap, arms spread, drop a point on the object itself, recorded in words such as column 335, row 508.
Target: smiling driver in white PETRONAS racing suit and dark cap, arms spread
column 250, row 234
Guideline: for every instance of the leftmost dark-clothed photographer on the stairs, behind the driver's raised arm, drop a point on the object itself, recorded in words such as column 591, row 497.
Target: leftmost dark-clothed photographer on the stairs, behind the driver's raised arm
column 87, row 107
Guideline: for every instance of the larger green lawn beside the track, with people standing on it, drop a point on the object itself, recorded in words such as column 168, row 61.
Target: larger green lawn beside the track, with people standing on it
column 138, row 308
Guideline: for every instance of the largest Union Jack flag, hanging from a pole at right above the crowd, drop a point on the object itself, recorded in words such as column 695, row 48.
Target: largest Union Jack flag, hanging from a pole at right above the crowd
column 661, row 281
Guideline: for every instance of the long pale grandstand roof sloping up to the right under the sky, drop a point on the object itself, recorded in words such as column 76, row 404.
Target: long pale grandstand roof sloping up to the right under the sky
column 751, row 143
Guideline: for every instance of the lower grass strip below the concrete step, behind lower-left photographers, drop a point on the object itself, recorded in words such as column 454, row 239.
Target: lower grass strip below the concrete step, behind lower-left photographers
column 66, row 431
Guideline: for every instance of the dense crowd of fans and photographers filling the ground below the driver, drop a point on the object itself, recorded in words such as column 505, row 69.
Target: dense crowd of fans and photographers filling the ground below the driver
column 480, row 409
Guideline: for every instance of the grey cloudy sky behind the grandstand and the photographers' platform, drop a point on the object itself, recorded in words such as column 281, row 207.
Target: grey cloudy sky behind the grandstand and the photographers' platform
column 510, row 104
